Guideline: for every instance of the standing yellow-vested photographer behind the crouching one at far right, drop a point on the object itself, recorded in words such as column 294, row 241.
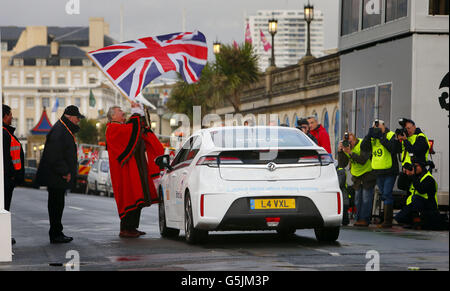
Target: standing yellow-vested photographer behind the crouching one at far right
column 414, row 142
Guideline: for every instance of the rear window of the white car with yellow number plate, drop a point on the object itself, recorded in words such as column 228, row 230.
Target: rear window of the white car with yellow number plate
column 255, row 137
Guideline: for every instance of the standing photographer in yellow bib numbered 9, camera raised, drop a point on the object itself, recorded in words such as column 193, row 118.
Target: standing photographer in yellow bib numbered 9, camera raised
column 381, row 142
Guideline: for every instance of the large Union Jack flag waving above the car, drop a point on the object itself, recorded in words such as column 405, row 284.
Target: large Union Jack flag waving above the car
column 134, row 64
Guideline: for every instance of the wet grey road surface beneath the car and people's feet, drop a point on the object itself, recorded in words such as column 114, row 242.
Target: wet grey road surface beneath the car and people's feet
column 94, row 224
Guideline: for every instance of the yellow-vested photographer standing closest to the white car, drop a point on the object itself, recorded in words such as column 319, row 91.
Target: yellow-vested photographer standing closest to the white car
column 364, row 179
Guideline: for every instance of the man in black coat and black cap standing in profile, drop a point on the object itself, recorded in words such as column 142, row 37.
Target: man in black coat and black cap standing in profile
column 58, row 168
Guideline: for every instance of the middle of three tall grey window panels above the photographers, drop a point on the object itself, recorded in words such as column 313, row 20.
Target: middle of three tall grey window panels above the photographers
column 365, row 106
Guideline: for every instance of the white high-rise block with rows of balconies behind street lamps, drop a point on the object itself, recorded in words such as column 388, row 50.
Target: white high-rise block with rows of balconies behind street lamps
column 290, row 39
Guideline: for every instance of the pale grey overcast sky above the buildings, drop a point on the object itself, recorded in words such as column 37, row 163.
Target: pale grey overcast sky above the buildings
column 221, row 19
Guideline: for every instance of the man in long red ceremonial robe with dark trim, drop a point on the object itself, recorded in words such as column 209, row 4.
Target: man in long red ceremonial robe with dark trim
column 132, row 149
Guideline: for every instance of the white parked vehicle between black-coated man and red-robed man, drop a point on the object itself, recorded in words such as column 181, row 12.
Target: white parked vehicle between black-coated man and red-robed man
column 98, row 176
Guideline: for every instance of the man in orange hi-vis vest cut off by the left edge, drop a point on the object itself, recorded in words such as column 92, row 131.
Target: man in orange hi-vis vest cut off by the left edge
column 13, row 158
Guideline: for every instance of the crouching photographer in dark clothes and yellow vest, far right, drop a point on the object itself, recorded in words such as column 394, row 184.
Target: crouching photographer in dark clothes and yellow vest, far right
column 421, row 206
